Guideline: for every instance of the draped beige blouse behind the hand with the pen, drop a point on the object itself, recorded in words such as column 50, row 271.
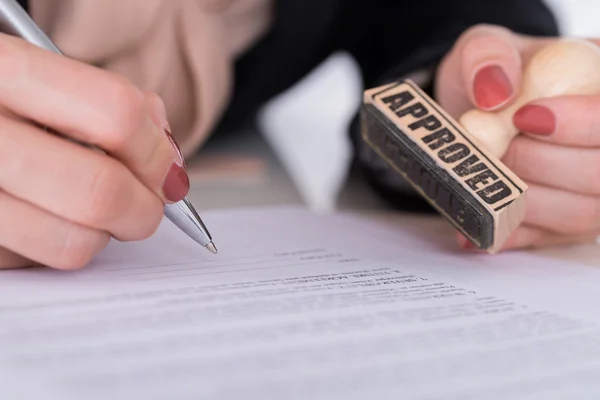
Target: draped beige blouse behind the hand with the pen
column 181, row 49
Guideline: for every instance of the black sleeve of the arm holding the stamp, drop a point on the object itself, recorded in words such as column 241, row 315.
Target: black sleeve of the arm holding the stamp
column 392, row 39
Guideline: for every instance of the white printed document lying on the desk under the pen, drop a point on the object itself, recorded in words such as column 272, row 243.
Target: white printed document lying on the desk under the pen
column 301, row 306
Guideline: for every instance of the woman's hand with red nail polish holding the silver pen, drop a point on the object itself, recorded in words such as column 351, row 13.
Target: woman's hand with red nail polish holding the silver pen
column 60, row 203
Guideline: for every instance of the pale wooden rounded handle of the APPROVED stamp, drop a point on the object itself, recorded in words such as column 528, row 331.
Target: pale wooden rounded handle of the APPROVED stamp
column 564, row 67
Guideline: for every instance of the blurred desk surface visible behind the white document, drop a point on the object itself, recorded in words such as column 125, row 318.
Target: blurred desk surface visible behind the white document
column 269, row 185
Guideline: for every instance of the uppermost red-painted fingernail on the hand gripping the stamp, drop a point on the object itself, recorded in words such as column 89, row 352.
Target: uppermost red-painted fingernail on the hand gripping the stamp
column 491, row 87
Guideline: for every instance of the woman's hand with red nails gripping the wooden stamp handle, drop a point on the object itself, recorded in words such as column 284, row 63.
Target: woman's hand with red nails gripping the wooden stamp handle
column 558, row 155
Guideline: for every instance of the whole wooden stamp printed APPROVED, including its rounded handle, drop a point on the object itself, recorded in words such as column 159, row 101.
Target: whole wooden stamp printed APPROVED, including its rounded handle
column 456, row 166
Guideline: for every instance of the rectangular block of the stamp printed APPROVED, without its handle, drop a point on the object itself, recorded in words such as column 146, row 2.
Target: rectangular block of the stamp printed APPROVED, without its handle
column 474, row 191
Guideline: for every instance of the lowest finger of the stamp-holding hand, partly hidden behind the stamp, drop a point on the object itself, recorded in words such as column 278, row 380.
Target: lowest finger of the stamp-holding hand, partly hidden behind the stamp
column 526, row 236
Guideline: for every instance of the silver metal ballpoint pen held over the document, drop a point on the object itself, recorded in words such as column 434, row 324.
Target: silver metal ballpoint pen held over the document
column 15, row 20
